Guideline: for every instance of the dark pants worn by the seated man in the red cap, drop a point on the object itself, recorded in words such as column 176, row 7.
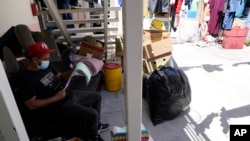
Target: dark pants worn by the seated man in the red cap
column 78, row 114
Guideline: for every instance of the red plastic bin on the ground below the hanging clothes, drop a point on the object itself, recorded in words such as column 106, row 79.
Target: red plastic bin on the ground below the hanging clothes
column 235, row 38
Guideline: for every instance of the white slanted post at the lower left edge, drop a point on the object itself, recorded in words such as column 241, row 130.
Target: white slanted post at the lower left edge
column 11, row 125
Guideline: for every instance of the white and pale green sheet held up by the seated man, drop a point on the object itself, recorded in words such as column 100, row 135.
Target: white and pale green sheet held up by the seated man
column 81, row 70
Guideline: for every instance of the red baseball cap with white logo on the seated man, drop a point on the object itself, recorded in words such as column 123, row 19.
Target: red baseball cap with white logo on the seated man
column 38, row 49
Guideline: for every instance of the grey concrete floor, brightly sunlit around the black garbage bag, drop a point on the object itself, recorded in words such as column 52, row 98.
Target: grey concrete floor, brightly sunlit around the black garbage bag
column 219, row 80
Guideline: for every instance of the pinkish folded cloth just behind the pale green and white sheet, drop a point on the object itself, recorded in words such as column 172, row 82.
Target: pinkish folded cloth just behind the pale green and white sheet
column 94, row 65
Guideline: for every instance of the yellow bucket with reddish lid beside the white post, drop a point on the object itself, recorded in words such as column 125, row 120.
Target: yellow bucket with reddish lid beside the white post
column 112, row 76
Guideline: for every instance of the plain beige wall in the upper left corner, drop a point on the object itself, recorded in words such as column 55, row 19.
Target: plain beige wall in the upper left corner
column 13, row 12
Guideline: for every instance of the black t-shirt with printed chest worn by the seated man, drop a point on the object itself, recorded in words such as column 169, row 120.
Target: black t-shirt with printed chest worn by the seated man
column 41, row 84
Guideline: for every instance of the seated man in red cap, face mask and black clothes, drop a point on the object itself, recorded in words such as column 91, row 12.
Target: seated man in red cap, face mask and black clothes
column 43, row 96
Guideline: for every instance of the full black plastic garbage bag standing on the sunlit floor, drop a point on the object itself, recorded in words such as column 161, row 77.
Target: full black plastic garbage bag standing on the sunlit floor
column 169, row 94
